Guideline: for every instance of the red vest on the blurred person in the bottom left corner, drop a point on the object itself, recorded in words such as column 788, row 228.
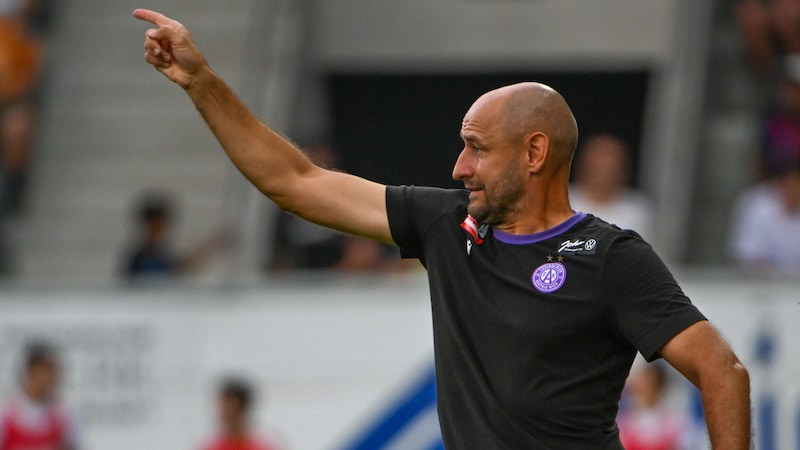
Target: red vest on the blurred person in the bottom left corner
column 16, row 436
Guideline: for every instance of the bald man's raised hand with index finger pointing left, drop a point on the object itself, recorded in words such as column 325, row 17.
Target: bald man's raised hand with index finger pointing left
column 170, row 48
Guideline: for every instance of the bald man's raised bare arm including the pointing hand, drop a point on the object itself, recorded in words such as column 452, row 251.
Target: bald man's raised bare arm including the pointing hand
column 275, row 166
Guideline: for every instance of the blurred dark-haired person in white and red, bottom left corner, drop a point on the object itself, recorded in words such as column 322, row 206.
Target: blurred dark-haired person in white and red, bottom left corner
column 35, row 419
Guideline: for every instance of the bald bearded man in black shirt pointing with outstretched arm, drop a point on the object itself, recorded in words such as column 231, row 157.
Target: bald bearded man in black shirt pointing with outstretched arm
column 537, row 311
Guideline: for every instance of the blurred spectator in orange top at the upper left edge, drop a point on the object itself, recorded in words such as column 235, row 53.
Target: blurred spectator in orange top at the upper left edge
column 21, row 52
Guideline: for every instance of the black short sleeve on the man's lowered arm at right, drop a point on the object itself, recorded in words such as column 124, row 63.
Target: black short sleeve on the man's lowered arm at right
column 647, row 306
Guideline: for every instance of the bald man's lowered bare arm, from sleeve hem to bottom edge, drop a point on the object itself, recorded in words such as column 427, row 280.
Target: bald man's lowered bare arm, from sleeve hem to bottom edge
column 703, row 357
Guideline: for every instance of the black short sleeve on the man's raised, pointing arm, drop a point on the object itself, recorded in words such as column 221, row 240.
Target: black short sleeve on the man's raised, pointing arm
column 411, row 211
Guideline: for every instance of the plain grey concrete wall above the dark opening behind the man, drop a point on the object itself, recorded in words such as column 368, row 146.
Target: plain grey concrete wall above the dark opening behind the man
column 439, row 34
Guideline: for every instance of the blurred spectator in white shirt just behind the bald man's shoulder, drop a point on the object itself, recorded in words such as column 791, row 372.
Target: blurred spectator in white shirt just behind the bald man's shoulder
column 601, row 185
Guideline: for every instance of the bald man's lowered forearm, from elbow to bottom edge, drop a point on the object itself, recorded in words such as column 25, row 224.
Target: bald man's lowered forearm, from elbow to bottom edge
column 726, row 403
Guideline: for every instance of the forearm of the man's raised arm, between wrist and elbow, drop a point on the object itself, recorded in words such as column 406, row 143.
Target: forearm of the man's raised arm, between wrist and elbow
column 264, row 157
